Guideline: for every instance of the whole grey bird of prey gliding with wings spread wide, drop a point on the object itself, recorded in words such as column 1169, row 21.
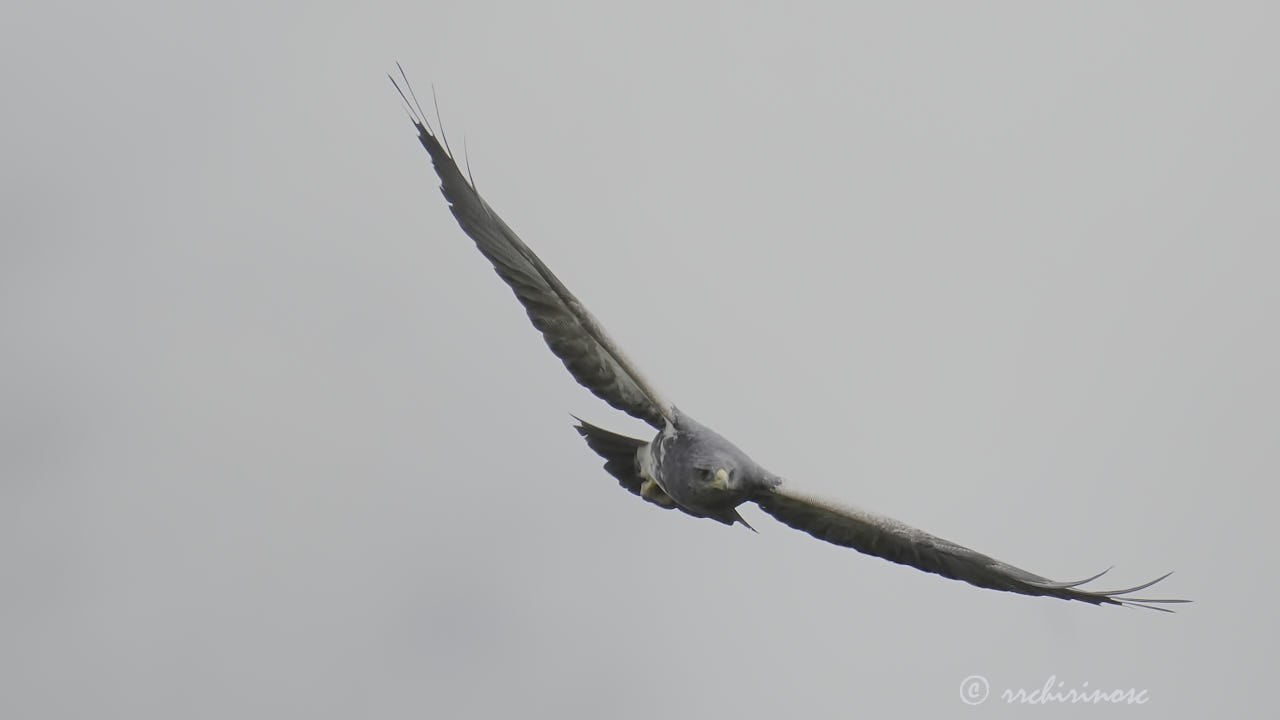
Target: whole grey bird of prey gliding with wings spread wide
column 689, row 467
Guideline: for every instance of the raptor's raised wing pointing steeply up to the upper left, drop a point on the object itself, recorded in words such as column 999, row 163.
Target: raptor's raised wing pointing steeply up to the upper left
column 572, row 332
